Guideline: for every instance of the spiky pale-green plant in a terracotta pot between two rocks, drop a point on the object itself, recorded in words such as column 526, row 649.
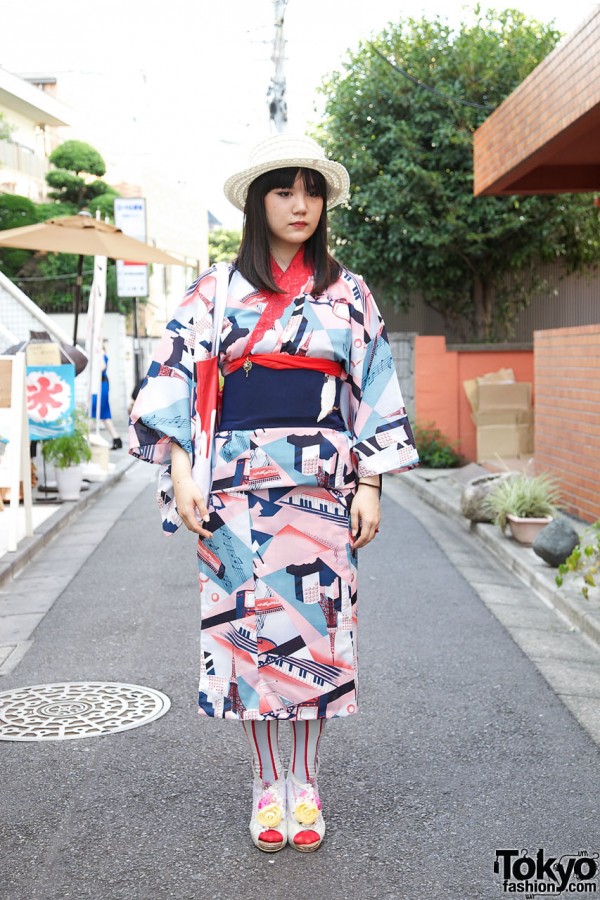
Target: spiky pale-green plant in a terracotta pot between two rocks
column 527, row 504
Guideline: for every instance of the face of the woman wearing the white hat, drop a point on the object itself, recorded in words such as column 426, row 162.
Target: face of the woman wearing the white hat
column 292, row 216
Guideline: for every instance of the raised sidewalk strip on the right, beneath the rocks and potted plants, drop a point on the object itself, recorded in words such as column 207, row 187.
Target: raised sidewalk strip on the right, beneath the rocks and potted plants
column 441, row 488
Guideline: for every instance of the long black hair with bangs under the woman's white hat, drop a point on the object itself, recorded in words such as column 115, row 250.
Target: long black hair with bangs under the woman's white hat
column 254, row 257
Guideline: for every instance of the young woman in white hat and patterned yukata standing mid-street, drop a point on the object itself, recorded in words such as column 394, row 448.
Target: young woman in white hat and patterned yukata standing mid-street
column 311, row 417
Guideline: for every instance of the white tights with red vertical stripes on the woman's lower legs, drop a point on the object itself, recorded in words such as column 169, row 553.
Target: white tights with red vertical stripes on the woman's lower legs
column 264, row 742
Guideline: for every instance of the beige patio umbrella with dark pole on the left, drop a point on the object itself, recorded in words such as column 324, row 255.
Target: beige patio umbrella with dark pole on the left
column 86, row 236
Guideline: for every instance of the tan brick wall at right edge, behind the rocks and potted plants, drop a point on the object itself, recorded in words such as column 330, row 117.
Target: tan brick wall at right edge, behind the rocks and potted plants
column 567, row 416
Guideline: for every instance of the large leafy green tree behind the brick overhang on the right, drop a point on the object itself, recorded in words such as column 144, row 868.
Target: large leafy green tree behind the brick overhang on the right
column 412, row 224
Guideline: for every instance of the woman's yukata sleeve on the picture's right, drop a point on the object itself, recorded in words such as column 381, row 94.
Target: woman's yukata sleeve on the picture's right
column 382, row 439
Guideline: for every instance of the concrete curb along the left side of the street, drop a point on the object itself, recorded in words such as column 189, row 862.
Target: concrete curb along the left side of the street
column 13, row 561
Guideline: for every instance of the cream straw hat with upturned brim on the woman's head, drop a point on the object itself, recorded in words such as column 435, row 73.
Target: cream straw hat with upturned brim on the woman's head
column 280, row 151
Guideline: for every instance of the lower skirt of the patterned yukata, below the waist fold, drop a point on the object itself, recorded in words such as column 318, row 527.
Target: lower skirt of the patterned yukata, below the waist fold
column 278, row 596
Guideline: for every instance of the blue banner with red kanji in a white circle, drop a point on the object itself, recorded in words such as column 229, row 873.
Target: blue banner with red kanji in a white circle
column 50, row 401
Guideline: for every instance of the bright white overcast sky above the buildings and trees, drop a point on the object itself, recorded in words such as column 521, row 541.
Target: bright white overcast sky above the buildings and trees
column 180, row 87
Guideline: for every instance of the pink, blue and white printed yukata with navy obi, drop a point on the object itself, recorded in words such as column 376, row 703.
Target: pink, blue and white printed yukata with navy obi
column 278, row 578
